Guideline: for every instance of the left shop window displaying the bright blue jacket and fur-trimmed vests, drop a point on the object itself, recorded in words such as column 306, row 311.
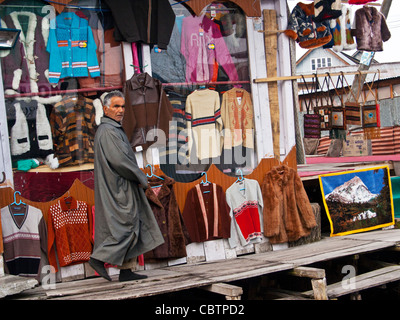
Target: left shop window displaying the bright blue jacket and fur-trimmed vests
column 49, row 71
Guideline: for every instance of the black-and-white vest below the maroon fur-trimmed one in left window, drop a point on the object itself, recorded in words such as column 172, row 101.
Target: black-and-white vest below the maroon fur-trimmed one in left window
column 29, row 128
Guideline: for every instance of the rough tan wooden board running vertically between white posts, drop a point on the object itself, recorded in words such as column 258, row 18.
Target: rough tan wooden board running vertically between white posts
column 271, row 52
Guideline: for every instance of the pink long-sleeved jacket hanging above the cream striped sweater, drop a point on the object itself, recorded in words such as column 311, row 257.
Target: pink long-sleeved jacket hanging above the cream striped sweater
column 202, row 44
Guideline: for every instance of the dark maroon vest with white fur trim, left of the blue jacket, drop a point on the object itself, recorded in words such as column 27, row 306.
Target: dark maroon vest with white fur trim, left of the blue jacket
column 24, row 67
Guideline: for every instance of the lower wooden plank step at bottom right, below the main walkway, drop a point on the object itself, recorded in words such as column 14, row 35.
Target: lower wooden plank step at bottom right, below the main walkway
column 361, row 282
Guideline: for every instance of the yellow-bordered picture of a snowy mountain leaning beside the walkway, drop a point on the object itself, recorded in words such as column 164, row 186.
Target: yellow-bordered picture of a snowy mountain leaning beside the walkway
column 357, row 201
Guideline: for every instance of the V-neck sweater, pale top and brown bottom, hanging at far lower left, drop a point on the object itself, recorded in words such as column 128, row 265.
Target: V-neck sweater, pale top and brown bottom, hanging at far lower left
column 24, row 239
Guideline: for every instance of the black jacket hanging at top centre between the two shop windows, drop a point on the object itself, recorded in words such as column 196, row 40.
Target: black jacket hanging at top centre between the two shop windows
column 147, row 21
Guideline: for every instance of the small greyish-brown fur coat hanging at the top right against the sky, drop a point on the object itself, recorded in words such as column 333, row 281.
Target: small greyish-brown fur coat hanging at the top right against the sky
column 371, row 29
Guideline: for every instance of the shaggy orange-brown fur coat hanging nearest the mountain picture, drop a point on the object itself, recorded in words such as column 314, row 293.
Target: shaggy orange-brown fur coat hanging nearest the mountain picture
column 287, row 212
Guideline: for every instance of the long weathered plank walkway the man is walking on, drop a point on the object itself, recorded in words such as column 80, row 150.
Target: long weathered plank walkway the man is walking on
column 216, row 276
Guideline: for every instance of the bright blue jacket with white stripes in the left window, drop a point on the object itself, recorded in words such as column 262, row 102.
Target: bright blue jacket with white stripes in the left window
column 72, row 48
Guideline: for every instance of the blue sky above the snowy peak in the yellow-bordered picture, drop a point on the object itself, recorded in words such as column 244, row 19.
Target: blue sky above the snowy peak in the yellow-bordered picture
column 373, row 180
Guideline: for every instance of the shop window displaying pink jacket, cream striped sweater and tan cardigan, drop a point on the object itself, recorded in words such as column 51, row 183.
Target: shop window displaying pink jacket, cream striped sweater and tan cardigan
column 205, row 73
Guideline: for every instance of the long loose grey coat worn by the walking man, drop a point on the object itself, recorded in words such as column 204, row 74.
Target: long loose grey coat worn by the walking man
column 125, row 226
